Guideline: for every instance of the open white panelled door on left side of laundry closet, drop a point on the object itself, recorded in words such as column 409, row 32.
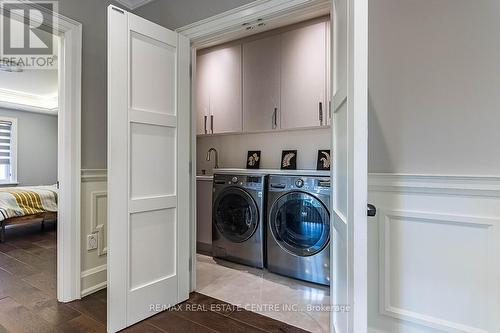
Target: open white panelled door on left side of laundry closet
column 148, row 168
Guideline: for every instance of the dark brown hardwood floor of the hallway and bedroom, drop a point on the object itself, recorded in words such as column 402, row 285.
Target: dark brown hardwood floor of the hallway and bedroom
column 28, row 297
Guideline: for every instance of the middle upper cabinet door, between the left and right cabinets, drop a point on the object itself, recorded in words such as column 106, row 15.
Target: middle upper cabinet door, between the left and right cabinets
column 261, row 84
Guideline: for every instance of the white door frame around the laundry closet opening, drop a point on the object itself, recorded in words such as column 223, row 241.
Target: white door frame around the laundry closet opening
column 223, row 28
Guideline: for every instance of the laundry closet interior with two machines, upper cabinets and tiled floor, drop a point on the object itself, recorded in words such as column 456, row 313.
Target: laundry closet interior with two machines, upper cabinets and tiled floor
column 263, row 160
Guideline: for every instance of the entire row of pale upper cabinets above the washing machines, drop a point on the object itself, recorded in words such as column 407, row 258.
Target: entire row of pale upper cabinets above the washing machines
column 279, row 80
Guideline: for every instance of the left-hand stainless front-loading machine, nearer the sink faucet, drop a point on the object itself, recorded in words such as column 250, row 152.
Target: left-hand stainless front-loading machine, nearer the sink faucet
column 238, row 218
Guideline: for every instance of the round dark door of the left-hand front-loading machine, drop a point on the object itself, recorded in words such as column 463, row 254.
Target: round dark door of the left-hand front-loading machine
column 236, row 214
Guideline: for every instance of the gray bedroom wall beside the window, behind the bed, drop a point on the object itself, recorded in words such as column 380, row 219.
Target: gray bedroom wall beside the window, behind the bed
column 36, row 147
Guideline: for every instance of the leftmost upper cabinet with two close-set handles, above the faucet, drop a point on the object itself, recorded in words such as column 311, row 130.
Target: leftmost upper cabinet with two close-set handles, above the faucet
column 218, row 90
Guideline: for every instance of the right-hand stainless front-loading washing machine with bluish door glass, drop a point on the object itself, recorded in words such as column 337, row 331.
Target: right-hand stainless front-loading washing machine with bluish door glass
column 298, row 227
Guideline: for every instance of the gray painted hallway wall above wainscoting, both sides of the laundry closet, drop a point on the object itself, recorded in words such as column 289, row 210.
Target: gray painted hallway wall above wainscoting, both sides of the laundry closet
column 433, row 76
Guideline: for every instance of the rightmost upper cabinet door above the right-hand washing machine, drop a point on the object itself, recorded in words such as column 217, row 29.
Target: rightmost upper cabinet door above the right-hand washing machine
column 303, row 77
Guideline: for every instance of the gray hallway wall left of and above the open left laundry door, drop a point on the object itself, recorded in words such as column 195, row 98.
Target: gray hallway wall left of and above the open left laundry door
column 92, row 15
